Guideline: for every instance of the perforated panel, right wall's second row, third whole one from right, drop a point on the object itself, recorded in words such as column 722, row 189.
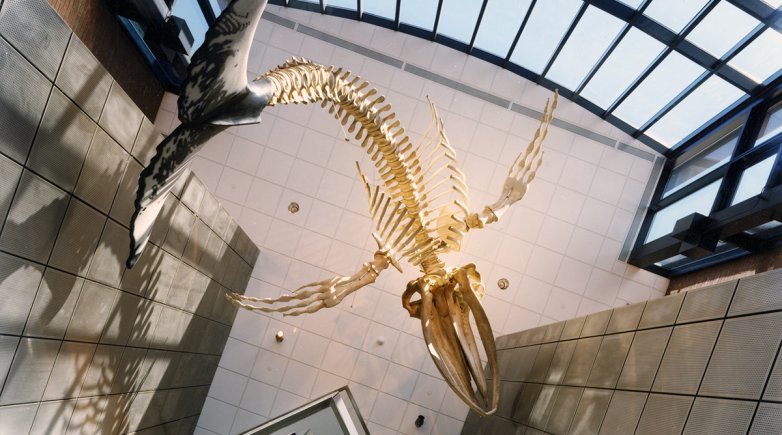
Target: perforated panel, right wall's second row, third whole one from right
column 643, row 359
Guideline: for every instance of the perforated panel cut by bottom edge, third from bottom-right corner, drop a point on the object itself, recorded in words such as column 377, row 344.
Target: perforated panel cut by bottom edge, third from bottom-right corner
column 664, row 414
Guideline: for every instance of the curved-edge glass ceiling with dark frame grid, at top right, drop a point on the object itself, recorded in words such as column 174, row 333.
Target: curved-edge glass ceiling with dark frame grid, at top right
column 657, row 69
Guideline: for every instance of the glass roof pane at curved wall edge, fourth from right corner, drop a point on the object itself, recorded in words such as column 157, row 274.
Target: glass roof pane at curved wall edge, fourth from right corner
column 586, row 44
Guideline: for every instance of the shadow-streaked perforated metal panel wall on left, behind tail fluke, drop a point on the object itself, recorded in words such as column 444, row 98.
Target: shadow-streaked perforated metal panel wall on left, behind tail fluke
column 85, row 345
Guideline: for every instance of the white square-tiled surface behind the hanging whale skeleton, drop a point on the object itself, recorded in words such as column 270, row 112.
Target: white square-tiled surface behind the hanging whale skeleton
column 558, row 246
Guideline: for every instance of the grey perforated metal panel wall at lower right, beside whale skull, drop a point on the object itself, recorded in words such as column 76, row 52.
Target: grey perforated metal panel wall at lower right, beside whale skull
column 704, row 362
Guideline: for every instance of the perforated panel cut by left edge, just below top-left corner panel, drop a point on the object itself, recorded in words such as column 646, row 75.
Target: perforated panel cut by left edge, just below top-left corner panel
column 23, row 95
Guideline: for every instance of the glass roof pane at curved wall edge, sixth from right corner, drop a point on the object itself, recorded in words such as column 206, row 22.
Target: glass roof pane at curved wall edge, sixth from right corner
column 501, row 22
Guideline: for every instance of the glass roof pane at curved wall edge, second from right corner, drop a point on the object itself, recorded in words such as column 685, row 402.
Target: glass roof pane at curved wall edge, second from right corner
column 670, row 77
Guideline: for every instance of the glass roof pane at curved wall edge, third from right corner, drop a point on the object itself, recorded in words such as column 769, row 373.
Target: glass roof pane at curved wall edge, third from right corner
column 628, row 60
